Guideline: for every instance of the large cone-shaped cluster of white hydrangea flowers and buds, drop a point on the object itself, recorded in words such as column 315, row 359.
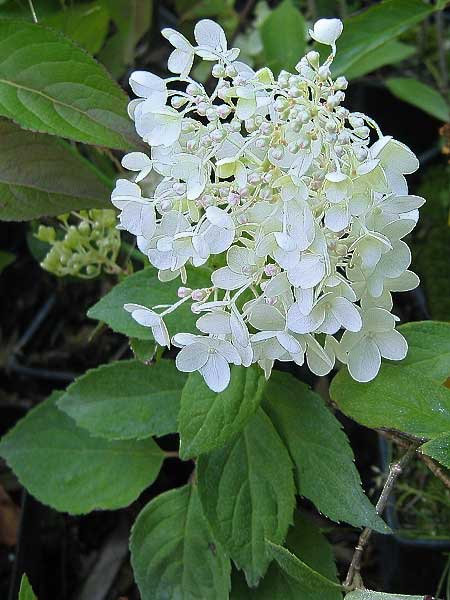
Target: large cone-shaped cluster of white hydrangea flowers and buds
column 307, row 213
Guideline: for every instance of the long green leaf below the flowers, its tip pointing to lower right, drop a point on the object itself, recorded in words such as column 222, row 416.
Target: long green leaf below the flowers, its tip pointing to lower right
column 317, row 444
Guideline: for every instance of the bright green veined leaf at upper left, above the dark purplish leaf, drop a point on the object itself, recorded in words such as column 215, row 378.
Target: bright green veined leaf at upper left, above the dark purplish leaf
column 49, row 84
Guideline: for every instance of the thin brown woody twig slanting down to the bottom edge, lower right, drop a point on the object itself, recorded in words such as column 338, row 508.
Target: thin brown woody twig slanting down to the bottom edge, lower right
column 353, row 579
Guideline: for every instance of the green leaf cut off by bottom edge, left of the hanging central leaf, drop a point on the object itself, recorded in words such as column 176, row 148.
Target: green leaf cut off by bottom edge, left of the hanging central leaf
column 173, row 552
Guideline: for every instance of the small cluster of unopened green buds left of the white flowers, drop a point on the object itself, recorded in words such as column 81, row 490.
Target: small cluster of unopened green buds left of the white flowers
column 89, row 245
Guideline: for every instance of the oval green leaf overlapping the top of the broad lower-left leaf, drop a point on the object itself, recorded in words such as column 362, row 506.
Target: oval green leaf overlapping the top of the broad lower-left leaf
column 126, row 399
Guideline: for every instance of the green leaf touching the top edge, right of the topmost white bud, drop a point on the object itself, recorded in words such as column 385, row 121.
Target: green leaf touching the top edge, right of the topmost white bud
column 371, row 29
